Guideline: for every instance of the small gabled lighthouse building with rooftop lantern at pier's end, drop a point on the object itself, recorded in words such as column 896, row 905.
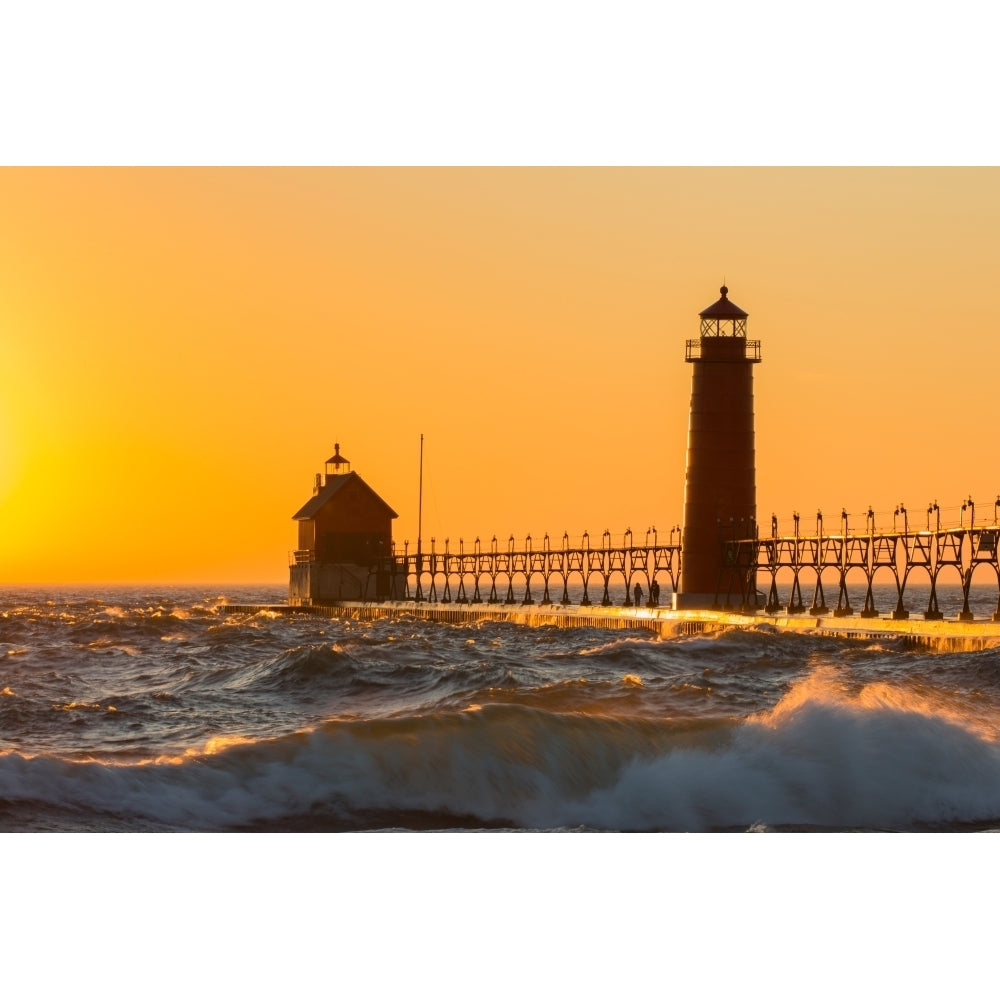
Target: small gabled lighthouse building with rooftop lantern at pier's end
column 345, row 534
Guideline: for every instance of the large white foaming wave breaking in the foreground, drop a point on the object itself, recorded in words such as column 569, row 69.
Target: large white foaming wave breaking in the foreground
column 826, row 756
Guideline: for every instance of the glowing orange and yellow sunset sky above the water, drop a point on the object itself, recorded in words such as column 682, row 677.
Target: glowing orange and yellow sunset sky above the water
column 182, row 348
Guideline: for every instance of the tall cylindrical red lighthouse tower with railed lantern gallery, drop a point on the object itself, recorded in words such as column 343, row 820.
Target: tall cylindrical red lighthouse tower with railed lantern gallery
column 720, row 492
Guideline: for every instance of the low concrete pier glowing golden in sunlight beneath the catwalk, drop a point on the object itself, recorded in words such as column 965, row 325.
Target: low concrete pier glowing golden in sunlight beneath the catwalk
column 943, row 634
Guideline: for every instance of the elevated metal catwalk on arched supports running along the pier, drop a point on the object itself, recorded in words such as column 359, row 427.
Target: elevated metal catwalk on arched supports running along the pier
column 758, row 574
